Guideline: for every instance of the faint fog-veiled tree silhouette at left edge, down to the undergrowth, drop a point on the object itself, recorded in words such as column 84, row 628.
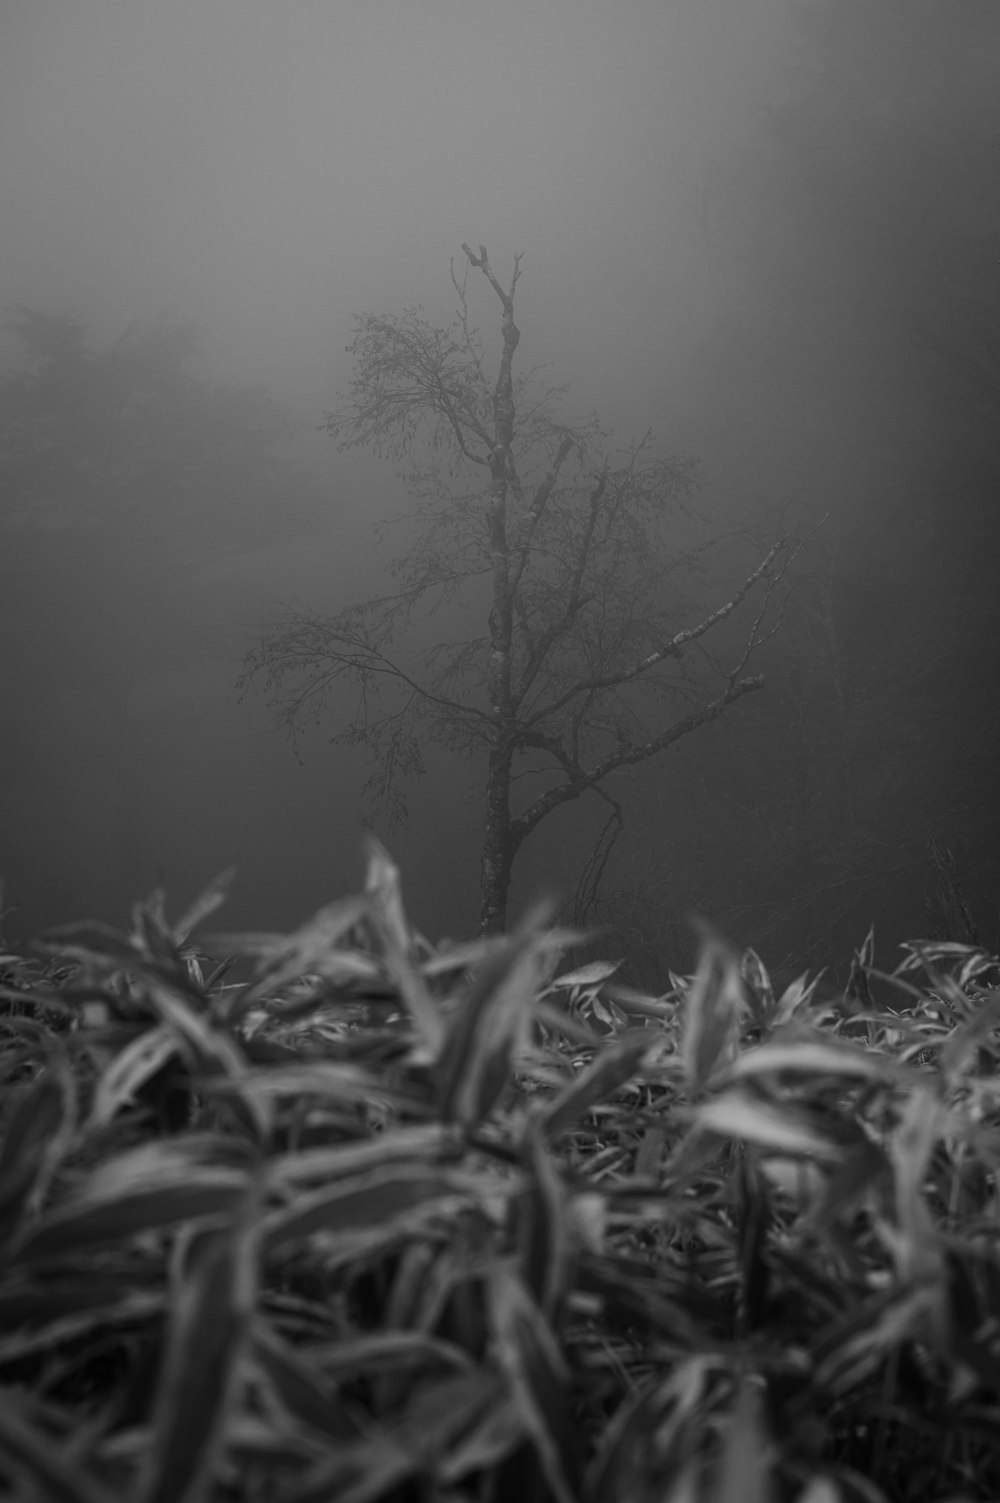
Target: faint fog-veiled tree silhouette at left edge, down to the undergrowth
column 127, row 480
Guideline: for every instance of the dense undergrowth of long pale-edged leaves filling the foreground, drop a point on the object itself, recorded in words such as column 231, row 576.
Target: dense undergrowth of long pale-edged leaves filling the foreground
column 342, row 1217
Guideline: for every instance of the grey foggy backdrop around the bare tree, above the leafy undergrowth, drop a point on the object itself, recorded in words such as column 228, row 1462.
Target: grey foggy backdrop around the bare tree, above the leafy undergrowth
column 768, row 231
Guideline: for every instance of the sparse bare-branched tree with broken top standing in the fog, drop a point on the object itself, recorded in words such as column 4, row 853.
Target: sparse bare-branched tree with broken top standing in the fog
column 586, row 667
